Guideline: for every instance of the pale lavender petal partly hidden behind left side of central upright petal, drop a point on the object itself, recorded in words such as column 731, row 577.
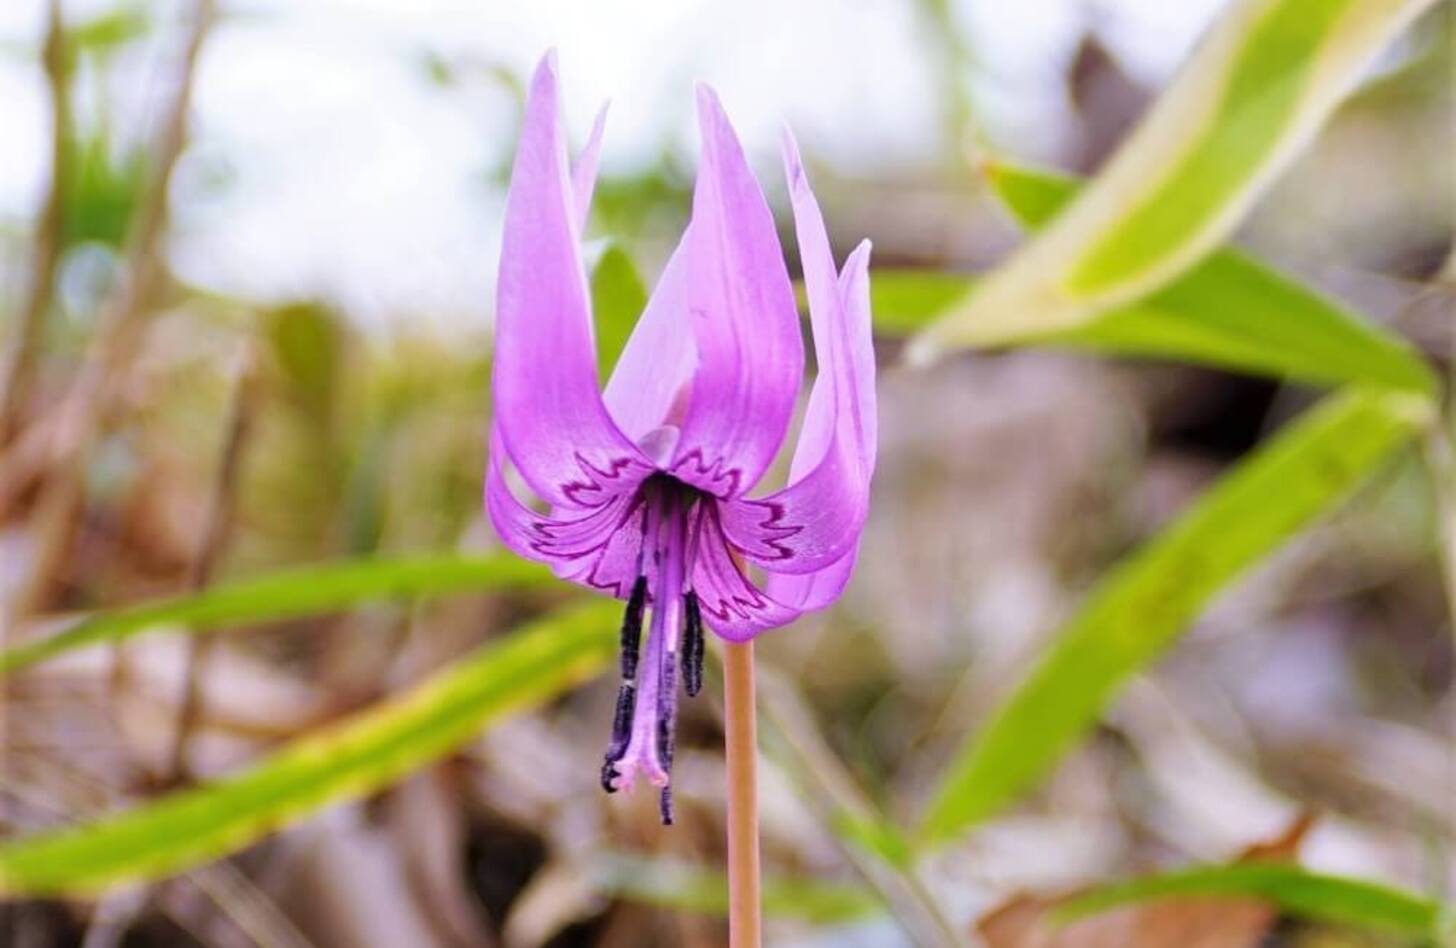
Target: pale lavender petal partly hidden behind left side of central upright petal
column 656, row 368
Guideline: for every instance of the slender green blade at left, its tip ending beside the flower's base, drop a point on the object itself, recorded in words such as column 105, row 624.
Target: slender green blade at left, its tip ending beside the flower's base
column 289, row 595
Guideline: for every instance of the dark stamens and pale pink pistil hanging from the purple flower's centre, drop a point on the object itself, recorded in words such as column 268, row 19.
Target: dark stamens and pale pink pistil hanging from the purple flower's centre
column 646, row 722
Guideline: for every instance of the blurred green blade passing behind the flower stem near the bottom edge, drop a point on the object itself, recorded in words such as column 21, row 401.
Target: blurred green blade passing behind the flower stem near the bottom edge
column 679, row 885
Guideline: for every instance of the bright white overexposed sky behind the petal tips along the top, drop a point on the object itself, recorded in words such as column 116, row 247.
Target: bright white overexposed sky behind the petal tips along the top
column 352, row 177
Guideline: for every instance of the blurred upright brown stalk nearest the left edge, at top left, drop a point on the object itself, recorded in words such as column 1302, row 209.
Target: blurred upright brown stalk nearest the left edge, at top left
column 15, row 385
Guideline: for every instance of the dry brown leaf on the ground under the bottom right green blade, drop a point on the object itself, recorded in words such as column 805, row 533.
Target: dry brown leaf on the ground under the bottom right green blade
column 1027, row 921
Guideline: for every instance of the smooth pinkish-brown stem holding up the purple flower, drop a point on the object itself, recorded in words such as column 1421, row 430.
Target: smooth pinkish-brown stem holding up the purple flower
column 742, row 748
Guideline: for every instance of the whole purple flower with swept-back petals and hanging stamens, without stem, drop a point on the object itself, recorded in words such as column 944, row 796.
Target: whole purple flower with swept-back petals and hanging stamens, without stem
column 649, row 483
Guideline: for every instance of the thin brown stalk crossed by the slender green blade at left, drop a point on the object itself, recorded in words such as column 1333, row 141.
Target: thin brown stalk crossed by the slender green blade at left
column 216, row 532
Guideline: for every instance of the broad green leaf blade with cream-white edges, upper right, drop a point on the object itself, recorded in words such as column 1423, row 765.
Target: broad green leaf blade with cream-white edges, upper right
column 1254, row 92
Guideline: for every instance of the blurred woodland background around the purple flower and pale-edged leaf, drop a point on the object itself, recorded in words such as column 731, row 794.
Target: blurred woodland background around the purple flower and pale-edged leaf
column 247, row 374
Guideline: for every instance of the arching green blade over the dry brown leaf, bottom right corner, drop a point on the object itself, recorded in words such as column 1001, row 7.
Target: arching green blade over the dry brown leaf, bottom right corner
column 1298, row 892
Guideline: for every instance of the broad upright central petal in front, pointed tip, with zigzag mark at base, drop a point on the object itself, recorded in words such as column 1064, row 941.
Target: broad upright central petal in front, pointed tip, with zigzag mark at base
column 751, row 356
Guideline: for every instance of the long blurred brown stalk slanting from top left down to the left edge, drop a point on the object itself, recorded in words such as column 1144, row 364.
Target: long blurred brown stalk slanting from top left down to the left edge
column 122, row 321
